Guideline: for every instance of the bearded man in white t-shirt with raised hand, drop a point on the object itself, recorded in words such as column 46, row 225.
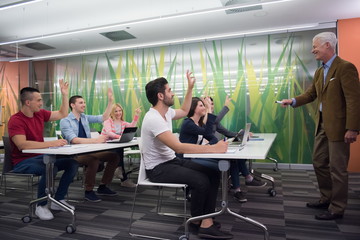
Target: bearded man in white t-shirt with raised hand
column 159, row 145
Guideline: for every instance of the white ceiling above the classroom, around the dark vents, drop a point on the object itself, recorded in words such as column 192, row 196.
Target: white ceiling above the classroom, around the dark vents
column 52, row 16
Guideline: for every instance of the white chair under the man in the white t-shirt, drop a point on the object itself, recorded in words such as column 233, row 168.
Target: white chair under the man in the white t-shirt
column 144, row 181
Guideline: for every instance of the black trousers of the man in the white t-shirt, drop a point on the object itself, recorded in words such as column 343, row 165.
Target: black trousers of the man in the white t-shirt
column 203, row 181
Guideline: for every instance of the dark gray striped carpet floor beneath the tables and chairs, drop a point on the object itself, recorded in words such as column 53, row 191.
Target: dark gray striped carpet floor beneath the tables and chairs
column 284, row 215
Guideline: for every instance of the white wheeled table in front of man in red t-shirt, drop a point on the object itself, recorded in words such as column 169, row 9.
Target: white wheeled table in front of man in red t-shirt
column 50, row 158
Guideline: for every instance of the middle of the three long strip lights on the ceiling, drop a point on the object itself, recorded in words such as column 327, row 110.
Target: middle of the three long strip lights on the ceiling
column 146, row 20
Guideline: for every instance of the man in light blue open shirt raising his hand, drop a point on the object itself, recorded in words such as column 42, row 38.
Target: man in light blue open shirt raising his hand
column 75, row 128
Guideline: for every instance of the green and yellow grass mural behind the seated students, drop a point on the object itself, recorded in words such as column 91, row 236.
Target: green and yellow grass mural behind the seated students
column 253, row 71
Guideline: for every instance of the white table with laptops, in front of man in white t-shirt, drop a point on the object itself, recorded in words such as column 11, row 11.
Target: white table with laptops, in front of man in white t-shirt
column 254, row 149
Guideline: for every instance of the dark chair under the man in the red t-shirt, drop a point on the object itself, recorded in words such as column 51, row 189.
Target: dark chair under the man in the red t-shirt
column 8, row 169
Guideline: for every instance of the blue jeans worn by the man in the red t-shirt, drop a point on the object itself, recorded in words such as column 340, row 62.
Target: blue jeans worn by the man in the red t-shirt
column 35, row 165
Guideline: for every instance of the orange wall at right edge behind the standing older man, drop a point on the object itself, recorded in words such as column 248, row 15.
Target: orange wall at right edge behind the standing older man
column 349, row 49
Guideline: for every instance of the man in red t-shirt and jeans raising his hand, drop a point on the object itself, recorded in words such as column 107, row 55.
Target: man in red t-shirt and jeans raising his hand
column 26, row 132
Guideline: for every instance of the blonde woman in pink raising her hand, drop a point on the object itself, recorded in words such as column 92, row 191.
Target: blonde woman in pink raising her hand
column 113, row 128
